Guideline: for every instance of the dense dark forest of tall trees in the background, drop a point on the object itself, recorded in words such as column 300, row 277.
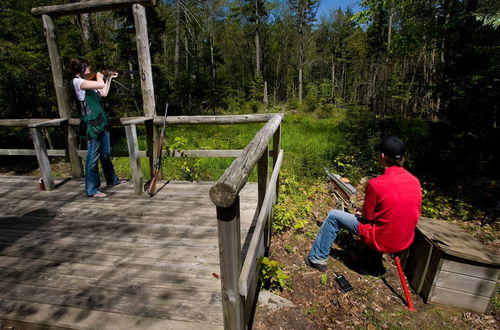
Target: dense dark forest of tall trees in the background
column 426, row 70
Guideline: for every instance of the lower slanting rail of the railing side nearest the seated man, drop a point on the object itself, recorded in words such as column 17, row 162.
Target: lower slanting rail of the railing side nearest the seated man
column 249, row 274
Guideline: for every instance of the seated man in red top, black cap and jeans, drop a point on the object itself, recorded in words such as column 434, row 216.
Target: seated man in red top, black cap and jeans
column 390, row 212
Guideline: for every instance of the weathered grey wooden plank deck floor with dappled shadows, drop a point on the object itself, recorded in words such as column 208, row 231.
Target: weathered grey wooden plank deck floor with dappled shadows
column 124, row 262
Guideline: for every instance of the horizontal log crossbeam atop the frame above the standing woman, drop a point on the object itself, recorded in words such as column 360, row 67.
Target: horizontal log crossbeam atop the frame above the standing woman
column 87, row 7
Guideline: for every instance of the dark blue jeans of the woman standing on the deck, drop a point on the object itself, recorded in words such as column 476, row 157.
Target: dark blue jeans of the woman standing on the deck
column 98, row 149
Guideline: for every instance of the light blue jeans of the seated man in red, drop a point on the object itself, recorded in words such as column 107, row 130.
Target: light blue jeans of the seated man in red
column 335, row 220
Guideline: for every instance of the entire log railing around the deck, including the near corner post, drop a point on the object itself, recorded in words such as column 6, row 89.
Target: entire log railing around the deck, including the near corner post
column 239, row 278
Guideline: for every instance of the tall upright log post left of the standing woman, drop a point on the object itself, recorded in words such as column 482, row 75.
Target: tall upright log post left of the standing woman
column 62, row 95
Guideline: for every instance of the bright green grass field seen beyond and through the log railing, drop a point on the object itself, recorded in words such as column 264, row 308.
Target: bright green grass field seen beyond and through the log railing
column 307, row 143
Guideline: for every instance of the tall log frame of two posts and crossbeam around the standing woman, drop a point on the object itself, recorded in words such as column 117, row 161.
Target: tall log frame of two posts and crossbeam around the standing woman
column 48, row 13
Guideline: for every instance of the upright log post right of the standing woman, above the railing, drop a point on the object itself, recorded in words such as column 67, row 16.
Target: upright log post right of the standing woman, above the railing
column 142, row 41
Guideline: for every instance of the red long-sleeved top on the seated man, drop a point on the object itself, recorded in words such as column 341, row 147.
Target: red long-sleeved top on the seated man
column 391, row 210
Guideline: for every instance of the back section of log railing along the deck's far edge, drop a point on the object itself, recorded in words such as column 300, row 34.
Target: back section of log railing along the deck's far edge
column 73, row 154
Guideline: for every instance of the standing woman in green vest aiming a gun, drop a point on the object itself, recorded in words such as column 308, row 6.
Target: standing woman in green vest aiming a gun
column 94, row 125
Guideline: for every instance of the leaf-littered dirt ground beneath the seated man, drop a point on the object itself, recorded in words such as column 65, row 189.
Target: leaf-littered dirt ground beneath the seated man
column 376, row 302
